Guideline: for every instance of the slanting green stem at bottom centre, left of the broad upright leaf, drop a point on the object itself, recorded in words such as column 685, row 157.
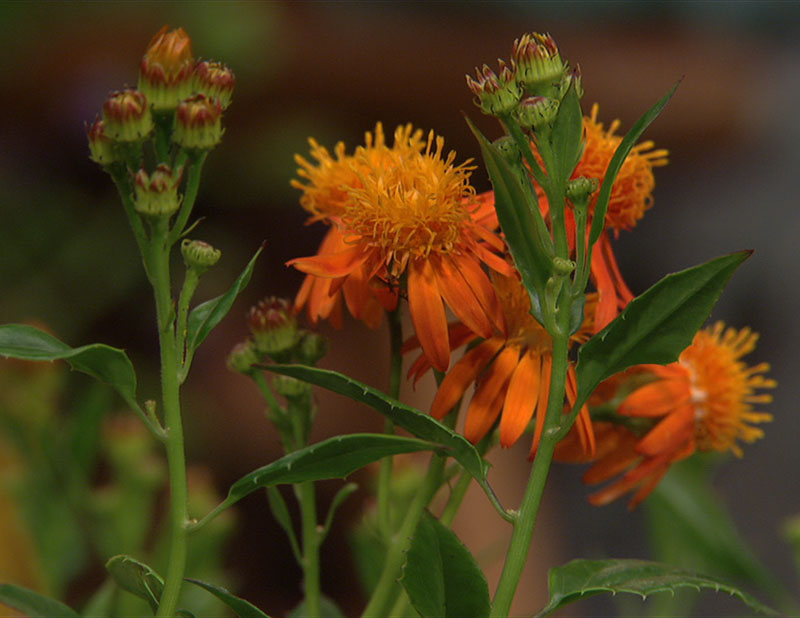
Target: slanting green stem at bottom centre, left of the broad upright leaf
column 396, row 551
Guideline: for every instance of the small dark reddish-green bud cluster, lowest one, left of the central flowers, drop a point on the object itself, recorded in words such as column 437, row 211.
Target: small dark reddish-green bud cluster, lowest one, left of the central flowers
column 275, row 335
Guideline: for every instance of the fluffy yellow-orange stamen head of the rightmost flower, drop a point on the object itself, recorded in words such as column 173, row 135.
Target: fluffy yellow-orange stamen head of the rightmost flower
column 723, row 388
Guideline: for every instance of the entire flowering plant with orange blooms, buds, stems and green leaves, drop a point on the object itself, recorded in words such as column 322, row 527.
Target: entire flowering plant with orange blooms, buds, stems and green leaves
column 554, row 342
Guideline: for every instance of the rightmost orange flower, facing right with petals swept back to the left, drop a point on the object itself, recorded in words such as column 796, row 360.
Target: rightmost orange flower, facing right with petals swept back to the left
column 701, row 403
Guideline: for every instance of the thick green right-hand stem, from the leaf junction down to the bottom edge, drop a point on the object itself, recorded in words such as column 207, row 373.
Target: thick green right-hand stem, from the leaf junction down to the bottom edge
column 526, row 518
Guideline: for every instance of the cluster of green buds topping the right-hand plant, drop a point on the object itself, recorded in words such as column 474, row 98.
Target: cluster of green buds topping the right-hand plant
column 530, row 87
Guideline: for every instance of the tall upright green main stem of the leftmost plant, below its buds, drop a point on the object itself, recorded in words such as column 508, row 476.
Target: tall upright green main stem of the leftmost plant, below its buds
column 176, row 459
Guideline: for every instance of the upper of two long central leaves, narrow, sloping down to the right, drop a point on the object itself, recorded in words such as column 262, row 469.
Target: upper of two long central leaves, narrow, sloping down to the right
column 416, row 422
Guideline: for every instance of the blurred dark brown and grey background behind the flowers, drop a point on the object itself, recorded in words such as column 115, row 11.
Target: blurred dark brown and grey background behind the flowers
column 331, row 70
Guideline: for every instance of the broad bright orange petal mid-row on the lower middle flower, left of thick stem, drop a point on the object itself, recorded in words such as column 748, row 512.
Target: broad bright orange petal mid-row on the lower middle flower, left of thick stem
column 521, row 398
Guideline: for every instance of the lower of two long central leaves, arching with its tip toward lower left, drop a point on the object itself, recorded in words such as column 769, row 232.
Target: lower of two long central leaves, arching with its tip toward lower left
column 335, row 457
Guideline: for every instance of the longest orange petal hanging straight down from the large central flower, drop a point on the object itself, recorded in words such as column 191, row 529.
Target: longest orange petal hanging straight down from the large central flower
column 427, row 313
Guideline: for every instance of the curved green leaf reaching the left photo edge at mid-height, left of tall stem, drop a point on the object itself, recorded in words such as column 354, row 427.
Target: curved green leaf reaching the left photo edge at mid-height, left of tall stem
column 107, row 364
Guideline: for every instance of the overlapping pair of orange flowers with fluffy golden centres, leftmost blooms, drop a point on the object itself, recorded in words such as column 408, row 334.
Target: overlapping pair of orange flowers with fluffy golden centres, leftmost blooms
column 404, row 211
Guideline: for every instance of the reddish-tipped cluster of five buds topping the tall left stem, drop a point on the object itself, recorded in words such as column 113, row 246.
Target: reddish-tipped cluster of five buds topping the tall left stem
column 175, row 94
